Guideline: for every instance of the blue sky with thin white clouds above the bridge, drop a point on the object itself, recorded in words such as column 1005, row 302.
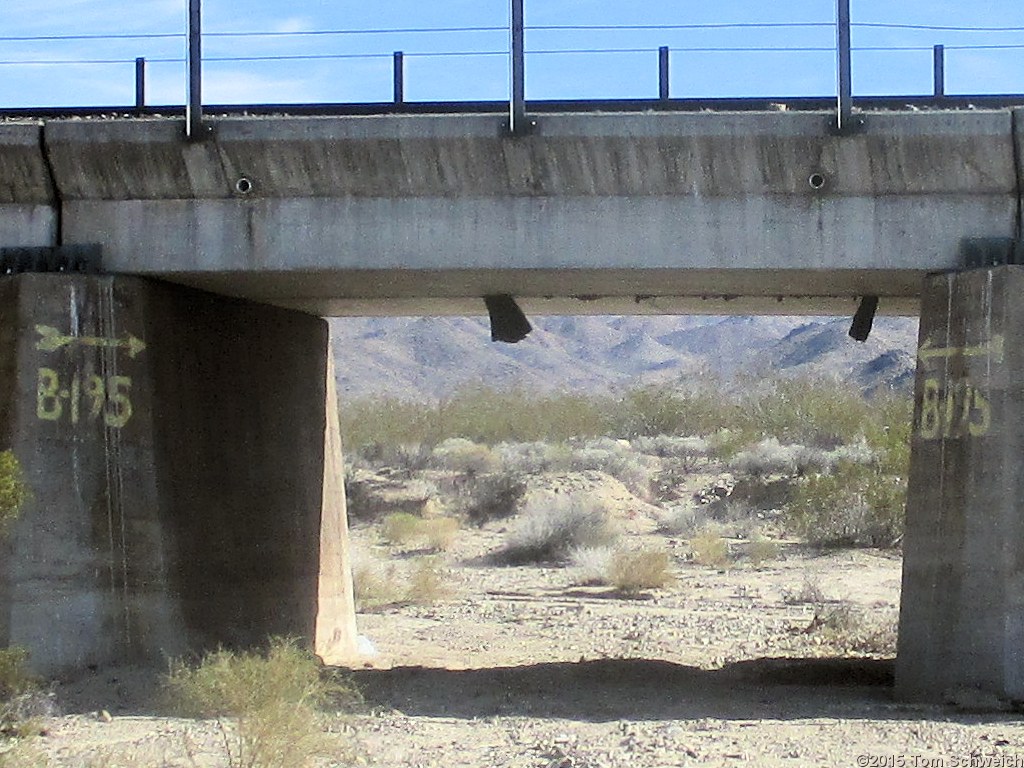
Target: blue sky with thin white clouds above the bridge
column 486, row 77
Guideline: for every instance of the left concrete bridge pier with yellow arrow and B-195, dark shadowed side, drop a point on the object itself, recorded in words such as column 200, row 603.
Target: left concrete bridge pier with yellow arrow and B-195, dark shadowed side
column 175, row 445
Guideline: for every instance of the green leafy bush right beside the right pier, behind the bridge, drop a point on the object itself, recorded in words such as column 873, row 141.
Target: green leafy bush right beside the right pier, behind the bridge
column 854, row 506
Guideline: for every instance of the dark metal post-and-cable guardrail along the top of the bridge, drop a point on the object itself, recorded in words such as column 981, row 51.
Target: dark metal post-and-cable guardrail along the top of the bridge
column 517, row 53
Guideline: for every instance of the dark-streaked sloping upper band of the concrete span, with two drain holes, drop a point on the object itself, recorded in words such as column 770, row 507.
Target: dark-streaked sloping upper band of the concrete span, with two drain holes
column 647, row 155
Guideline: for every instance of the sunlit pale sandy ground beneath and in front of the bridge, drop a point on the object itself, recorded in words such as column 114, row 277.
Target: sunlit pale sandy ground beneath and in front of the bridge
column 522, row 667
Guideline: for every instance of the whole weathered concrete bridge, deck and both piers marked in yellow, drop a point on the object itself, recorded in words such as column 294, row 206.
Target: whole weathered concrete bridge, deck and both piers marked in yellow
column 175, row 411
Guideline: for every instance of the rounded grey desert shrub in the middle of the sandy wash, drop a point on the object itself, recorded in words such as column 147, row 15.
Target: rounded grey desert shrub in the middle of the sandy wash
column 551, row 526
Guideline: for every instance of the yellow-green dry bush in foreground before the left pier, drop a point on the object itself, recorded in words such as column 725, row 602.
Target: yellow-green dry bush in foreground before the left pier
column 268, row 704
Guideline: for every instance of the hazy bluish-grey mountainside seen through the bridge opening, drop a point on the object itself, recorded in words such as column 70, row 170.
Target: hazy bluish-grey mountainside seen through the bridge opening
column 430, row 358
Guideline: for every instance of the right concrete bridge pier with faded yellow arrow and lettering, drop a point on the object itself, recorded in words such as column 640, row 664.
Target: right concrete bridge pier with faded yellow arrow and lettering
column 962, row 618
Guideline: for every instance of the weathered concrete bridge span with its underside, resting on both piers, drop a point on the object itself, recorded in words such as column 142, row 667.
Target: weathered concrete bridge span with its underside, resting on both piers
column 589, row 216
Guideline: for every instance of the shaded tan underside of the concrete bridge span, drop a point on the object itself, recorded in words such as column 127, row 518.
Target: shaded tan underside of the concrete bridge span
column 540, row 292
